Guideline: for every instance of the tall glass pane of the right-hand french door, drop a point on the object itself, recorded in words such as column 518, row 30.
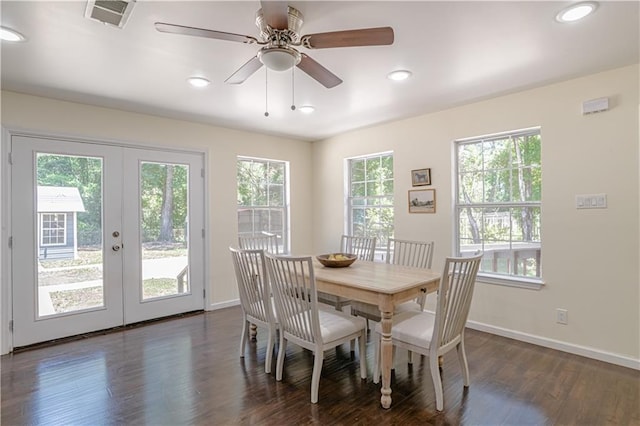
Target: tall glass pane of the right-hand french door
column 164, row 229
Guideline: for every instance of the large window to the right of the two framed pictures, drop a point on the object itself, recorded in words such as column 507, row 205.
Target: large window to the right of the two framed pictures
column 498, row 204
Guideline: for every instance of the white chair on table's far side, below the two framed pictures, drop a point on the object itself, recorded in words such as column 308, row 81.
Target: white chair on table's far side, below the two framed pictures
column 418, row 254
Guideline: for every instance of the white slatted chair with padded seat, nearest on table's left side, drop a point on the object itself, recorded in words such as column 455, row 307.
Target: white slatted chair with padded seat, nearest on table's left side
column 303, row 321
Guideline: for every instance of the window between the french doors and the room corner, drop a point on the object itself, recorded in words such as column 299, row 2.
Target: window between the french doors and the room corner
column 263, row 202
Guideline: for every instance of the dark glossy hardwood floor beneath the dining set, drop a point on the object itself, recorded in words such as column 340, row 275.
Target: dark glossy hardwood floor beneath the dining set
column 187, row 371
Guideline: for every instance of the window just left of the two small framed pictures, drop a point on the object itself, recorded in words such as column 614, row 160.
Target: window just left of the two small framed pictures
column 370, row 198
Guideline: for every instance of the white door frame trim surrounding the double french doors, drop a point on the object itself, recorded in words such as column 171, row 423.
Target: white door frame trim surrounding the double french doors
column 6, row 133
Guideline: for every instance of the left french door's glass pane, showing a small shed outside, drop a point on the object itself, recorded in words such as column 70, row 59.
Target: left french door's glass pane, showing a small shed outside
column 69, row 233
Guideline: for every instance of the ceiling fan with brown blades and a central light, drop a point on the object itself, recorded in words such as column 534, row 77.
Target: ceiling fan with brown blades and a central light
column 279, row 26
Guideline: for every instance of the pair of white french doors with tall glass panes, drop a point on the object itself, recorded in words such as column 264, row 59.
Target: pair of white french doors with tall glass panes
column 102, row 236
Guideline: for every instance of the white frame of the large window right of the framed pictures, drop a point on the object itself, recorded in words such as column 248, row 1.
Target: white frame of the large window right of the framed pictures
column 458, row 208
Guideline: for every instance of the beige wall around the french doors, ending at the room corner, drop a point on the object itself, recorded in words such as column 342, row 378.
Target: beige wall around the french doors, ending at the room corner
column 44, row 115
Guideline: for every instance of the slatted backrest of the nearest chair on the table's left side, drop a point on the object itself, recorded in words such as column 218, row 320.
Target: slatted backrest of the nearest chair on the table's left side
column 294, row 289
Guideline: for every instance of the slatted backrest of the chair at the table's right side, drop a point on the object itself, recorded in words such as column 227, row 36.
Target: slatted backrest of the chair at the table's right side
column 454, row 297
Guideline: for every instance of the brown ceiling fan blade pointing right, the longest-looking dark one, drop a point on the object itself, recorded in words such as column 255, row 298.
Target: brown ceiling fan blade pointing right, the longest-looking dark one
column 381, row 36
